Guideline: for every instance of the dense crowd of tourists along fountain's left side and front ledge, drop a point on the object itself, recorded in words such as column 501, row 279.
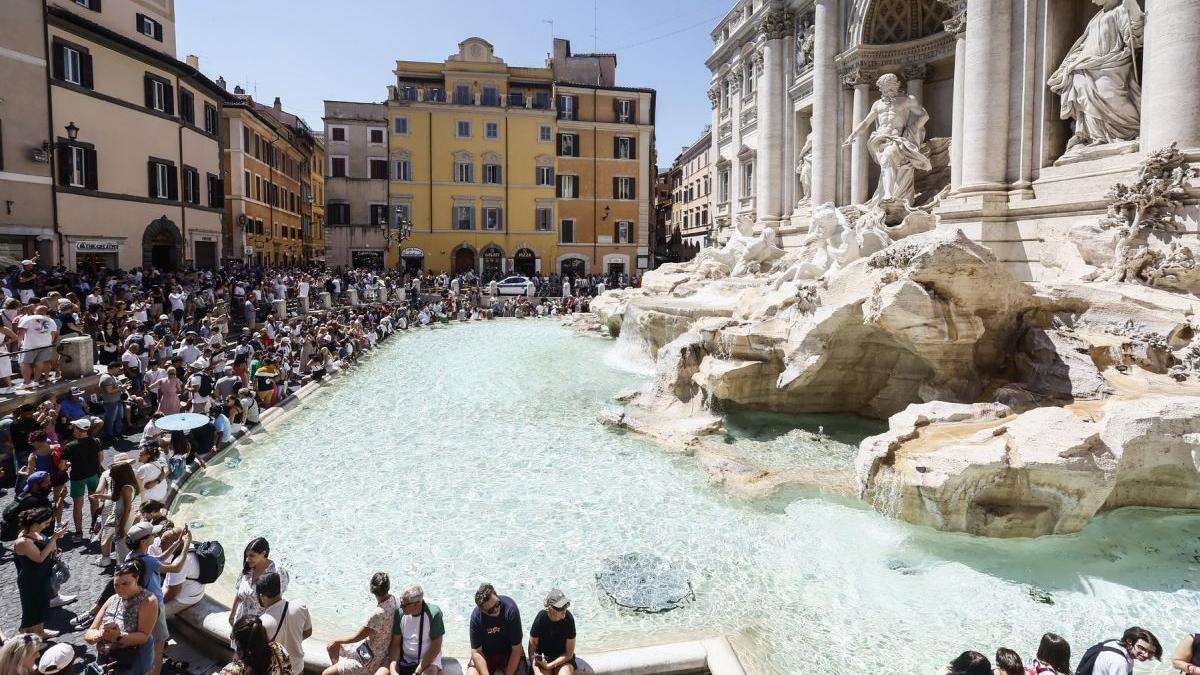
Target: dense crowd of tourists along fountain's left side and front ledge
column 211, row 343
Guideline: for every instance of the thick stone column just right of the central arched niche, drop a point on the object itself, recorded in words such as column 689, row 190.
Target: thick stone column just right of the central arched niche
column 987, row 97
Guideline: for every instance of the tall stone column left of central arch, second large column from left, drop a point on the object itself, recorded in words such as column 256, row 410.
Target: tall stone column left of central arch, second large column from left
column 825, row 103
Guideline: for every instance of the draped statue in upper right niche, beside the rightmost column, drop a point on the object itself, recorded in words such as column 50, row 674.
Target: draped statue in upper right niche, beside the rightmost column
column 1099, row 80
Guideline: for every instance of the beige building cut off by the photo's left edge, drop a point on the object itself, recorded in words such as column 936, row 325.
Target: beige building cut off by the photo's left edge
column 27, row 194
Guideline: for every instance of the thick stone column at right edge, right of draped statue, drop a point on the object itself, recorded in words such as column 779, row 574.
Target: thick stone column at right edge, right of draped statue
column 1171, row 93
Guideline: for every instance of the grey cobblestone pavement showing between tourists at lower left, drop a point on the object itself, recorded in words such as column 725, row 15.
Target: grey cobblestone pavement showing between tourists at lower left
column 87, row 584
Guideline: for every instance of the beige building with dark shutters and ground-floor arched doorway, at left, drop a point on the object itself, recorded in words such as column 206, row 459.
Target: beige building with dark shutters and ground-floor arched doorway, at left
column 136, row 139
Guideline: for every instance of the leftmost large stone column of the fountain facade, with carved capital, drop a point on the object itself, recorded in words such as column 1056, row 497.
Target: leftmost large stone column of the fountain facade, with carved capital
column 777, row 28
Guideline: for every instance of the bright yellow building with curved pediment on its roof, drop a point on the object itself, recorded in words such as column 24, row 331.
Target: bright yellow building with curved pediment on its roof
column 472, row 165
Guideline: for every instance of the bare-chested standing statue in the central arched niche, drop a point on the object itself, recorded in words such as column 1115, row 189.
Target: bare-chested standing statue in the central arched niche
column 896, row 144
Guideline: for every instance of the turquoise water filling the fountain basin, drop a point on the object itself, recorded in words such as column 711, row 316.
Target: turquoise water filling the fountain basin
column 472, row 453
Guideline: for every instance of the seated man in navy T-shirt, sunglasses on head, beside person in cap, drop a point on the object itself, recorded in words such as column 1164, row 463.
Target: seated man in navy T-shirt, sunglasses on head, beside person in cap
column 495, row 635
